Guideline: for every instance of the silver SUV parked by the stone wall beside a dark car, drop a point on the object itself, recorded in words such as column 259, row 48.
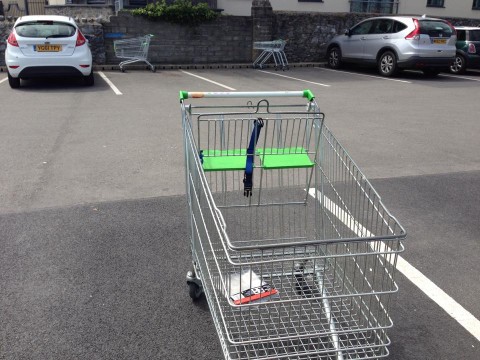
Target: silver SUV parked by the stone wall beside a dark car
column 396, row 42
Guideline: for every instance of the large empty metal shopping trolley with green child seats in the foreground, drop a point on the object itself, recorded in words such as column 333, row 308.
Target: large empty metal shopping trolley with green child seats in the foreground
column 291, row 245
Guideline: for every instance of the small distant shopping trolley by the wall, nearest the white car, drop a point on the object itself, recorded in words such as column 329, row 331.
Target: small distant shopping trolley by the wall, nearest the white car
column 134, row 50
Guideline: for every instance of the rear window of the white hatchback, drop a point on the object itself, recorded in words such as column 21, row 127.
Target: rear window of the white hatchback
column 45, row 29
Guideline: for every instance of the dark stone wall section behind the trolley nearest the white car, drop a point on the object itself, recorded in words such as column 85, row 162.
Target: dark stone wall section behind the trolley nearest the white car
column 227, row 39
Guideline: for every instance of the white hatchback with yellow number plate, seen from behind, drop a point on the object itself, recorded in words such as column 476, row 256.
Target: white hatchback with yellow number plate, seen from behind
column 47, row 46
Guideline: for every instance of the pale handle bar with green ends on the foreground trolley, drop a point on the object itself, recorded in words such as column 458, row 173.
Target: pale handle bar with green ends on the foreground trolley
column 246, row 94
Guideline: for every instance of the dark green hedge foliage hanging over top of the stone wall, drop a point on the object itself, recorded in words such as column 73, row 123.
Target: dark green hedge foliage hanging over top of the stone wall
column 180, row 12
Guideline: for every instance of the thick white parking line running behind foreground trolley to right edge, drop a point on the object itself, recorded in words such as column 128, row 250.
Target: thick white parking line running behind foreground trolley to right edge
column 447, row 303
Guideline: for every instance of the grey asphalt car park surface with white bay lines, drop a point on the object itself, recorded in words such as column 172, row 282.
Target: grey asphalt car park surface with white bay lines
column 93, row 209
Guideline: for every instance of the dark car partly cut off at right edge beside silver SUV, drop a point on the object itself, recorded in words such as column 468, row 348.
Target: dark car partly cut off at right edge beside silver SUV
column 468, row 49
